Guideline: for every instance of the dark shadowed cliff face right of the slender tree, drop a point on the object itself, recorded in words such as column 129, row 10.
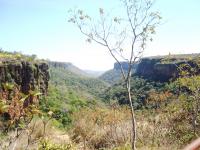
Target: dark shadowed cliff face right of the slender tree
column 157, row 70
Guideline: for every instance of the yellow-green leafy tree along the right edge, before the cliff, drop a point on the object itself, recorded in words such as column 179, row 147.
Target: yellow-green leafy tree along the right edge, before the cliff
column 186, row 116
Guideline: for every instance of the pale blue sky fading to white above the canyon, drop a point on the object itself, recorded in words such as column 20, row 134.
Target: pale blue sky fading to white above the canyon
column 41, row 27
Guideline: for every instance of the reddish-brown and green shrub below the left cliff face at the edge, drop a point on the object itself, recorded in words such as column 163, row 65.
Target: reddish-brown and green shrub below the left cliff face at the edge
column 17, row 111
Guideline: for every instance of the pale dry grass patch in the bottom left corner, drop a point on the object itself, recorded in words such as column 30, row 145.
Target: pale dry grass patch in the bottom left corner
column 33, row 135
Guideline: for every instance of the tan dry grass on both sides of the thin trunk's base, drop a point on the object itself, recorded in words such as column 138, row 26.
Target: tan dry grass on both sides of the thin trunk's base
column 110, row 128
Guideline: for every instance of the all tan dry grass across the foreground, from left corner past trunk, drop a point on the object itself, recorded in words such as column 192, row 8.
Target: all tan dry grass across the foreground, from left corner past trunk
column 103, row 128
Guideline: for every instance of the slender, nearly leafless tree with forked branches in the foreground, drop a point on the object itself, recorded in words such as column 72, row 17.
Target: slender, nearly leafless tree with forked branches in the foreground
column 124, row 36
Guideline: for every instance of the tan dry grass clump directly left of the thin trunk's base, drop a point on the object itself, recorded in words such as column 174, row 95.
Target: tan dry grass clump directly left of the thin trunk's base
column 101, row 128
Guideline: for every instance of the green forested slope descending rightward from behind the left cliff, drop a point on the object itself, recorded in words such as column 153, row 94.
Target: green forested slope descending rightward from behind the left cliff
column 71, row 90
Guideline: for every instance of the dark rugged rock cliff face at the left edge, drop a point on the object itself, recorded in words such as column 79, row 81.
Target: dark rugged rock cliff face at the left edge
column 27, row 75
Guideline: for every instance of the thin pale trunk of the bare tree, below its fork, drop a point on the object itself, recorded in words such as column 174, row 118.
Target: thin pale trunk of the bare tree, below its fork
column 133, row 142
